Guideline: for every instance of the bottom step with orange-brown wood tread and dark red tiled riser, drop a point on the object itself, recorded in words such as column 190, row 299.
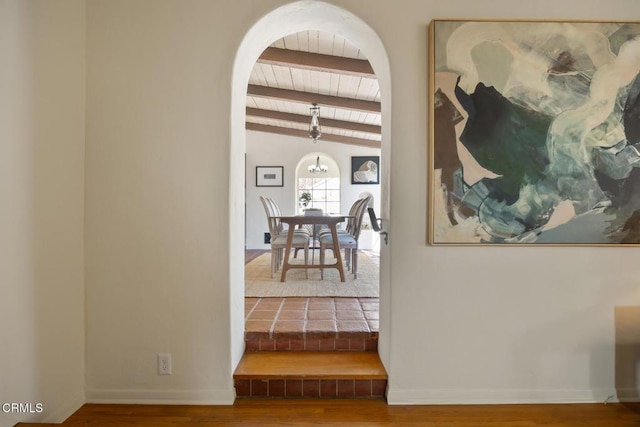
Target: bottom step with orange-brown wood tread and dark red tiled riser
column 311, row 374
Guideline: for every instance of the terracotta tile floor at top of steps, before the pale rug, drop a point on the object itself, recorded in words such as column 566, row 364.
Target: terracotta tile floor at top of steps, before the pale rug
column 311, row 315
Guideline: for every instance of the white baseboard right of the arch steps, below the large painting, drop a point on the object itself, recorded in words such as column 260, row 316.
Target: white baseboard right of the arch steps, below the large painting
column 489, row 397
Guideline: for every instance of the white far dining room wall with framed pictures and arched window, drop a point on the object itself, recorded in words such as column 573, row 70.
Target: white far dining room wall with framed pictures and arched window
column 264, row 149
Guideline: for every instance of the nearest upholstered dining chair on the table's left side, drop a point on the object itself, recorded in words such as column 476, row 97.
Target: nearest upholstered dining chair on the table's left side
column 279, row 236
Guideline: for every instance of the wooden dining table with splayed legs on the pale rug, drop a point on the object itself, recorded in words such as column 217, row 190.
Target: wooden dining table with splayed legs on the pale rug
column 316, row 220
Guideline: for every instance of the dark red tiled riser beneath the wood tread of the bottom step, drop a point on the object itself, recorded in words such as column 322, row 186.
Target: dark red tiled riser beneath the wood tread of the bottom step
column 309, row 388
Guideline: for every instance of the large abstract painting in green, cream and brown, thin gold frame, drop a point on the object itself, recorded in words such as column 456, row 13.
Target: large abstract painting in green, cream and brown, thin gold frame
column 534, row 132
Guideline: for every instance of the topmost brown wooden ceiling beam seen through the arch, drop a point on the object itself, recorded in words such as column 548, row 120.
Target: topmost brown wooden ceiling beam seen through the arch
column 317, row 62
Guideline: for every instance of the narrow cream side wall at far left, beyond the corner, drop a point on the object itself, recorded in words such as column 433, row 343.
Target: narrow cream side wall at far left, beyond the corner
column 42, row 101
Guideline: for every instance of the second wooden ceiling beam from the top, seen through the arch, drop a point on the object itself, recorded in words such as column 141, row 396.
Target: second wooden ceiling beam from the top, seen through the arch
column 310, row 98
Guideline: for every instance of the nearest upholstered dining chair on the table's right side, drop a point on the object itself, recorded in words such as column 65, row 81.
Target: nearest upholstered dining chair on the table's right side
column 347, row 238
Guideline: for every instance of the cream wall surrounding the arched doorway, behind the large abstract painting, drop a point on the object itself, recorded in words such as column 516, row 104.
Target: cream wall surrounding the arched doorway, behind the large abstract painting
column 158, row 264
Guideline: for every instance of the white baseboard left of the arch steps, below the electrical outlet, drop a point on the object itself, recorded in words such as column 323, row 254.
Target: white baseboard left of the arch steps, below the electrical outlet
column 162, row 397
